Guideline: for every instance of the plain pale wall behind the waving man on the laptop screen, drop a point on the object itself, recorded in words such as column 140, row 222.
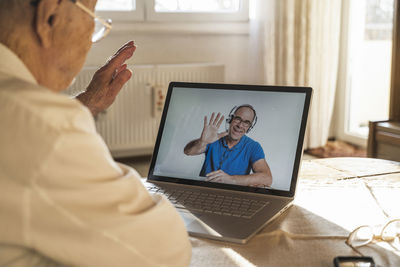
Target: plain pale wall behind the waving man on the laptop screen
column 279, row 117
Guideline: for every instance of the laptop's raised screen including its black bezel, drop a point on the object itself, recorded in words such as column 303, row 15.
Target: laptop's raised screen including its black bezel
column 241, row 137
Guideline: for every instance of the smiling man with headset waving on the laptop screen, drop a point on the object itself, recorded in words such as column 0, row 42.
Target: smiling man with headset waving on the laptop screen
column 231, row 155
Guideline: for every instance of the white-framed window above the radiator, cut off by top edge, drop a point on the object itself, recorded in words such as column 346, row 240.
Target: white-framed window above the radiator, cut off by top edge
column 174, row 10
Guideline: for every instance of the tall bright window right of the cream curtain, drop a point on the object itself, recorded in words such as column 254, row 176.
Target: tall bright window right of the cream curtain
column 368, row 65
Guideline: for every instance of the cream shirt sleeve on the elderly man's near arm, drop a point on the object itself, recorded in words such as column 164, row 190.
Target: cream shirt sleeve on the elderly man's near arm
column 87, row 210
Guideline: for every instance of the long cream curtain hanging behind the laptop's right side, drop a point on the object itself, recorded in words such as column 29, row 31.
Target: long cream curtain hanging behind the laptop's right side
column 302, row 48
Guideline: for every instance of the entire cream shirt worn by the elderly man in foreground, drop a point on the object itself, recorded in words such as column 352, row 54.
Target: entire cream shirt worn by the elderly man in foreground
column 63, row 199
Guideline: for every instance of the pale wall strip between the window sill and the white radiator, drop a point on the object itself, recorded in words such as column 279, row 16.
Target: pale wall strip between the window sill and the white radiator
column 239, row 51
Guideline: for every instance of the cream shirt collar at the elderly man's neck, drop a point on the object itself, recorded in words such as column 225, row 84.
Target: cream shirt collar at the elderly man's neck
column 12, row 65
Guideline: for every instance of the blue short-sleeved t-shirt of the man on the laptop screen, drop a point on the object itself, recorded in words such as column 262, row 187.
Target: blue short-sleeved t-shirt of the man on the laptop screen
column 235, row 161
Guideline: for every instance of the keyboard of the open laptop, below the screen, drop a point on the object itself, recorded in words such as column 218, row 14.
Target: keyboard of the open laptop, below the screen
column 212, row 203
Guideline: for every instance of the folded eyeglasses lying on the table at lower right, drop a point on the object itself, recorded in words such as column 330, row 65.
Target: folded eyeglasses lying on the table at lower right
column 364, row 235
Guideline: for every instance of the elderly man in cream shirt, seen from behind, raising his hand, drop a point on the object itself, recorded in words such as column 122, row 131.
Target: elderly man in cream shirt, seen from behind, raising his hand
column 64, row 200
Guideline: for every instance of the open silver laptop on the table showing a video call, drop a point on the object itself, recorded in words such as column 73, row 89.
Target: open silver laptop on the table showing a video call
column 229, row 186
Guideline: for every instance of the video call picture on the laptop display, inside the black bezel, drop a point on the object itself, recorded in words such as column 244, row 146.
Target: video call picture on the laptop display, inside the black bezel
column 272, row 140
